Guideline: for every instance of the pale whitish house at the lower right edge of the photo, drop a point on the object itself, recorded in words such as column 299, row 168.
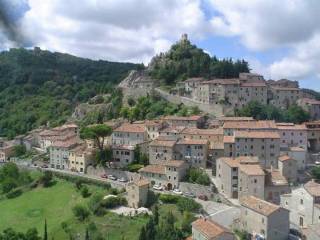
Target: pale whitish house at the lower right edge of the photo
column 304, row 204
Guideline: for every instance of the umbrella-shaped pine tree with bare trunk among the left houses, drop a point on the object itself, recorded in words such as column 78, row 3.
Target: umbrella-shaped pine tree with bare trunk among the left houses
column 97, row 132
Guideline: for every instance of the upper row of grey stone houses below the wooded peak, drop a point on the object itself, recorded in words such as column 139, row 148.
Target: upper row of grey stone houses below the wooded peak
column 237, row 92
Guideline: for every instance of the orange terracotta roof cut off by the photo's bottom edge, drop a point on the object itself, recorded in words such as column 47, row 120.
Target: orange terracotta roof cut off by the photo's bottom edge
column 209, row 228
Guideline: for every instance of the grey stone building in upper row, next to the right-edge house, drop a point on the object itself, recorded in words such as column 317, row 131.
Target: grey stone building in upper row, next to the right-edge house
column 283, row 97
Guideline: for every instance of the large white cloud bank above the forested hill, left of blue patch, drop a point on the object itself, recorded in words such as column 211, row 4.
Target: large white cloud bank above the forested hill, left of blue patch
column 122, row 30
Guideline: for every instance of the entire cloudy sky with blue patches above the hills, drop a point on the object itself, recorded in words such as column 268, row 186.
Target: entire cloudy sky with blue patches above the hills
column 279, row 39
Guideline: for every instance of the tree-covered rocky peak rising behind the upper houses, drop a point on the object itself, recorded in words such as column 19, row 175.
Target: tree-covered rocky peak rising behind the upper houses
column 185, row 60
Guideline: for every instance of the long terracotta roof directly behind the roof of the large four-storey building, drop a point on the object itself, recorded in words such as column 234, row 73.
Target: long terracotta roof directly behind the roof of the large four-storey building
column 266, row 124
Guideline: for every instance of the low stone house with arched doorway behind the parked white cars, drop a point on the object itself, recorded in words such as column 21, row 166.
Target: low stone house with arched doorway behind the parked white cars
column 168, row 174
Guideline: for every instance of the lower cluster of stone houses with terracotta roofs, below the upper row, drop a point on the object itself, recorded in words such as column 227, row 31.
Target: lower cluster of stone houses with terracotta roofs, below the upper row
column 254, row 162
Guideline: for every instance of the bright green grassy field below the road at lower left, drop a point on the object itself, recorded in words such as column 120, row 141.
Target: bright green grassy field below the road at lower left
column 55, row 204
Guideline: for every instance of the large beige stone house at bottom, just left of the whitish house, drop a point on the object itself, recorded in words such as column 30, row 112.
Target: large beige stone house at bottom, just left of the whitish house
column 264, row 219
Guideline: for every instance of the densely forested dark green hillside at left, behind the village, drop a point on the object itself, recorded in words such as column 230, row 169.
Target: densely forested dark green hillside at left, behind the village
column 38, row 86
